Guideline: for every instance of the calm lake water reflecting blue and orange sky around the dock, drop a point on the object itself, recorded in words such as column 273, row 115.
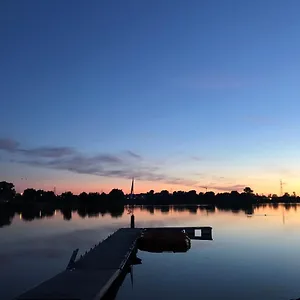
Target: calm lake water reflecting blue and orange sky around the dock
column 255, row 257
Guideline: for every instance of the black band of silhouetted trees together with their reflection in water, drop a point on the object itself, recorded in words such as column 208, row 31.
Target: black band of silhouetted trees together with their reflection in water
column 36, row 204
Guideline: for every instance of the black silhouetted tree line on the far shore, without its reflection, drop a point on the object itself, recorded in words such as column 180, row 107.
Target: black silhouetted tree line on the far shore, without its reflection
column 116, row 197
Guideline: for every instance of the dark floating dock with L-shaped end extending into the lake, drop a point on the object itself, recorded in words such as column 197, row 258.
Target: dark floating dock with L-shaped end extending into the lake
column 91, row 276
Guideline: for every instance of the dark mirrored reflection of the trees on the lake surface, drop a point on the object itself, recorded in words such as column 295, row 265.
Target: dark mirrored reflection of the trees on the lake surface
column 35, row 212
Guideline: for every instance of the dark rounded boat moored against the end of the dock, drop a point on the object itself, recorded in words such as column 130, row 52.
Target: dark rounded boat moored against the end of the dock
column 159, row 240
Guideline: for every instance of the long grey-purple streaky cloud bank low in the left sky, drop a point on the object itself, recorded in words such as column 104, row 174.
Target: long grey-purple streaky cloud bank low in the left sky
column 103, row 164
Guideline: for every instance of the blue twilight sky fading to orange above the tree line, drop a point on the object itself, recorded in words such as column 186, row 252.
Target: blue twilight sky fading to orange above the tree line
column 181, row 95
